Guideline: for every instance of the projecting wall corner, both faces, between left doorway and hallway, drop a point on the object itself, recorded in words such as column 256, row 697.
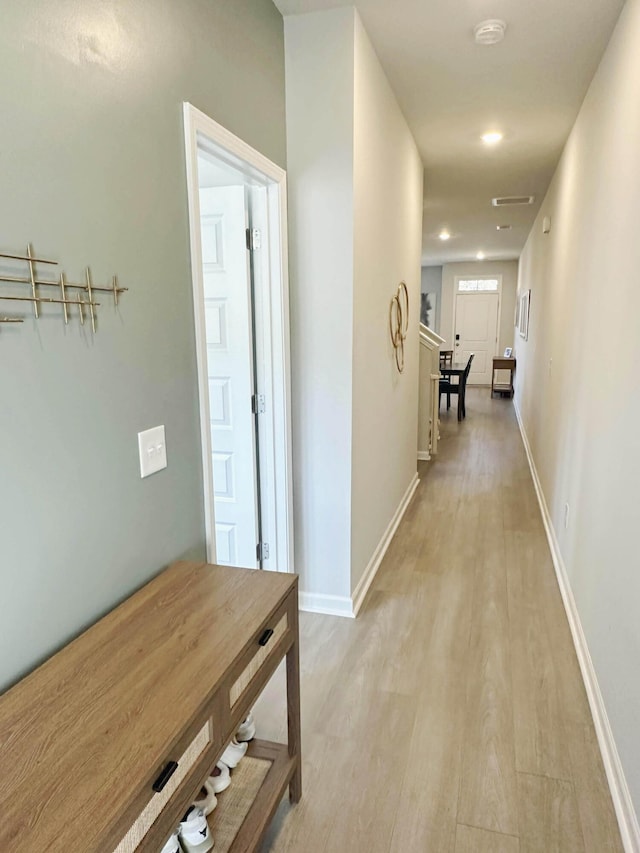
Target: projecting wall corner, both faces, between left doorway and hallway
column 356, row 216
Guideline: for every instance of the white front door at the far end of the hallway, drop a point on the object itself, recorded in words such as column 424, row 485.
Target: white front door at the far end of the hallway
column 477, row 327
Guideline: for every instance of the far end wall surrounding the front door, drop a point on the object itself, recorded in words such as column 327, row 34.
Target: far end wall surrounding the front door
column 509, row 272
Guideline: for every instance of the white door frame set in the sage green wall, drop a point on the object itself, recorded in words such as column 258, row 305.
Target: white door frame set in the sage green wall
column 199, row 130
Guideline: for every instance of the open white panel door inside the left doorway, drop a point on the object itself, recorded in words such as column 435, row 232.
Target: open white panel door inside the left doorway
column 227, row 303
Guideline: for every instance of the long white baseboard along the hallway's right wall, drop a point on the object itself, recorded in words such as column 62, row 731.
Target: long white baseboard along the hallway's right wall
column 625, row 812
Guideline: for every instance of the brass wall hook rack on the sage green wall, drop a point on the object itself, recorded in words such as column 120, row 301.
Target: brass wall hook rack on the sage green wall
column 34, row 282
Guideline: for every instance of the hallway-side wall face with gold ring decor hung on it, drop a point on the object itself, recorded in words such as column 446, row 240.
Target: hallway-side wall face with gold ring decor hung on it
column 388, row 187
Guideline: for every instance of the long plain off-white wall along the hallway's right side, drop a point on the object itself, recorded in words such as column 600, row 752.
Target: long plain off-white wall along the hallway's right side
column 578, row 374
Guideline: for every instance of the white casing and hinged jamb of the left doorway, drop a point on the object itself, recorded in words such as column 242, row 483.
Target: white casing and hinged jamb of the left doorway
column 268, row 196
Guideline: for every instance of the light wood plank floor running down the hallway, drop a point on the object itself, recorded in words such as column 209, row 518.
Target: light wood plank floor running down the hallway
column 451, row 715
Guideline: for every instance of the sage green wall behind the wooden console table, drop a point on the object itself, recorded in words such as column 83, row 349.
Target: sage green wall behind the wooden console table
column 92, row 172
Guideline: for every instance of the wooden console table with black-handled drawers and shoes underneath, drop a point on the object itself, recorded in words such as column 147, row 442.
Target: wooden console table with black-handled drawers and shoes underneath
column 165, row 679
